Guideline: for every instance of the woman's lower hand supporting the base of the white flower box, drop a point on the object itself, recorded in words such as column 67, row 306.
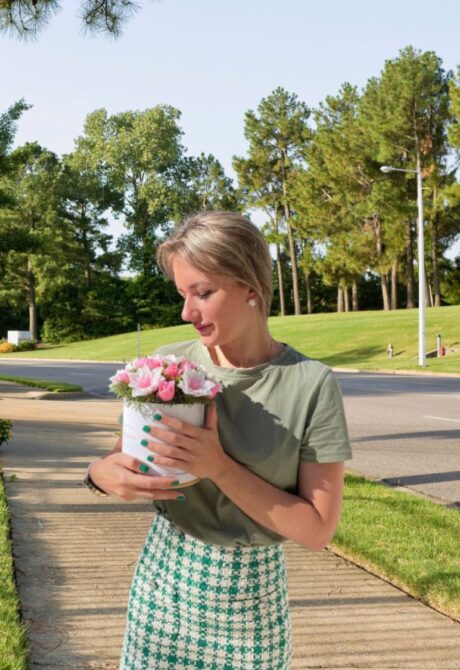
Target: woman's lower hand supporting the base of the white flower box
column 120, row 475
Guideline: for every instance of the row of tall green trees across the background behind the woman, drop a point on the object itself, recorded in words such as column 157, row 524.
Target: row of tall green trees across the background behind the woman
column 343, row 234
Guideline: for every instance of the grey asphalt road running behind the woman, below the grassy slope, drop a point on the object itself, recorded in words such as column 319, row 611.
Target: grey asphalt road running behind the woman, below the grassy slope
column 404, row 429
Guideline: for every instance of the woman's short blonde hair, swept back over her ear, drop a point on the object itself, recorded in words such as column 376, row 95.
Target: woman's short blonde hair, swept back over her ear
column 222, row 243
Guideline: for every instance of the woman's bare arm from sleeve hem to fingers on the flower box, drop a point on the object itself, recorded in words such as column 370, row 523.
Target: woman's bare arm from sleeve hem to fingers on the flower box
column 308, row 518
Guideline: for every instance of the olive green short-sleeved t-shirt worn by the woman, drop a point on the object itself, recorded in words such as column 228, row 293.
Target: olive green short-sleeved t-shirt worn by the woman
column 270, row 417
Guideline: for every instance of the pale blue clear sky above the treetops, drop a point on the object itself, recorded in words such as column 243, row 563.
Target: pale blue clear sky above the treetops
column 213, row 61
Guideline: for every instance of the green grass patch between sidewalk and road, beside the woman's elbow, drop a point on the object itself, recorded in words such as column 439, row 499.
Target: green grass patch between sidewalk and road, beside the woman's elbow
column 409, row 540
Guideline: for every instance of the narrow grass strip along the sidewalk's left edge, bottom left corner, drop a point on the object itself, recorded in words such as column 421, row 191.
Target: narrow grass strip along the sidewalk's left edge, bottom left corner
column 13, row 641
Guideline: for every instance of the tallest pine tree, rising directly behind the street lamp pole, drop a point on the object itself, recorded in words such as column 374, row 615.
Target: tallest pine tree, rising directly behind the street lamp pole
column 406, row 111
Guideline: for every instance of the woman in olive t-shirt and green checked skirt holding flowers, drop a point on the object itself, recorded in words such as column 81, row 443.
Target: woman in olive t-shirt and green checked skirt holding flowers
column 209, row 589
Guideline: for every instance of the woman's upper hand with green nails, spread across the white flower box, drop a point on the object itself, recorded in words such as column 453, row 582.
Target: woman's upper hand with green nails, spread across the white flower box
column 190, row 448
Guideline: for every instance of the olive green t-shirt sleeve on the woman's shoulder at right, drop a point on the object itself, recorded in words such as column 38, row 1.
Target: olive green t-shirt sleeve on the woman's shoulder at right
column 325, row 439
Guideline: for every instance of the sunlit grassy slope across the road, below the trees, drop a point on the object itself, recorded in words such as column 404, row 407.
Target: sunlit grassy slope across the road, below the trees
column 353, row 339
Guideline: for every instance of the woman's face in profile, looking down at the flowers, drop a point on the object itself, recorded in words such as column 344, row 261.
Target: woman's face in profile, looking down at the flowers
column 216, row 305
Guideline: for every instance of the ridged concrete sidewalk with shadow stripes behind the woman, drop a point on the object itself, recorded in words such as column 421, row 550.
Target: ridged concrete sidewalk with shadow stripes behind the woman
column 75, row 555
